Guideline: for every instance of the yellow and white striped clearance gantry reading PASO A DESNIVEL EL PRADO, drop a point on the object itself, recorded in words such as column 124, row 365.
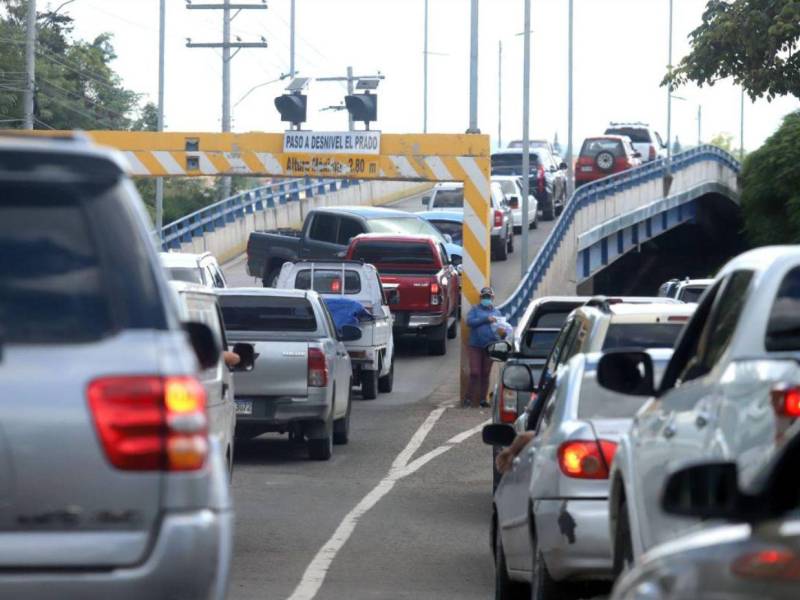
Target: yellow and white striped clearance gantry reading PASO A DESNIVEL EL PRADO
column 347, row 155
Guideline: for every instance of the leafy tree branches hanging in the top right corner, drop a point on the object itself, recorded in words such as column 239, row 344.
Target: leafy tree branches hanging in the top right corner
column 753, row 41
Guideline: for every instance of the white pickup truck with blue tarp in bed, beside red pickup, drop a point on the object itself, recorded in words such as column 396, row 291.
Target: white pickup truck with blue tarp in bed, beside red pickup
column 372, row 356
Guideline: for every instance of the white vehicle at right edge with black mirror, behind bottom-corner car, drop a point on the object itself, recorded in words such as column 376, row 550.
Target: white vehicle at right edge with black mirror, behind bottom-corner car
column 730, row 391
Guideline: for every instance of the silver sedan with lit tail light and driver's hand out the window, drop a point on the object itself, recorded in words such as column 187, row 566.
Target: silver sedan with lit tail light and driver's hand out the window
column 550, row 522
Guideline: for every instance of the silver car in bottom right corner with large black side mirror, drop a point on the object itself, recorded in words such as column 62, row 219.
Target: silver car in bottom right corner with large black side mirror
column 754, row 556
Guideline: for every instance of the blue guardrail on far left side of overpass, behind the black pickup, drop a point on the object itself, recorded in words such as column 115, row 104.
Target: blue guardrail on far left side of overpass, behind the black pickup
column 229, row 210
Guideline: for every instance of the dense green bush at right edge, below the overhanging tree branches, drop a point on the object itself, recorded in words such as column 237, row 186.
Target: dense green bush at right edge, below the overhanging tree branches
column 770, row 182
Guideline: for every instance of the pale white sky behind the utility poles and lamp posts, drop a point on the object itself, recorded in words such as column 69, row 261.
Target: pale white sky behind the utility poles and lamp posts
column 620, row 56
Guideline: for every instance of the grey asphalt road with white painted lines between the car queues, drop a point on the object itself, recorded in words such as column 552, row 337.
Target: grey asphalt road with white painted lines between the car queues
column 402, row 511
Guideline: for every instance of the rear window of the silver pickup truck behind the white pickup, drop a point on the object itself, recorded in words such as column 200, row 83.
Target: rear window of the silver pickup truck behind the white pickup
column 267, row 313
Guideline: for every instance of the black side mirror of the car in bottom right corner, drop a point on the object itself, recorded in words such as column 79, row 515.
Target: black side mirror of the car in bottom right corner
column 706, row 491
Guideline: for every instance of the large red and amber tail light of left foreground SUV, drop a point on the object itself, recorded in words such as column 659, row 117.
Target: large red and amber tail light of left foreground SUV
column 151, row 423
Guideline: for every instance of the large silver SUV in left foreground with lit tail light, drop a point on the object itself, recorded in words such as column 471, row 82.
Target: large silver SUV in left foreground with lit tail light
column 110, row 486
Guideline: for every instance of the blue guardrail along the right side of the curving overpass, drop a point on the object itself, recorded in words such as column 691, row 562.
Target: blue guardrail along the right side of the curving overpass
column 592, row 193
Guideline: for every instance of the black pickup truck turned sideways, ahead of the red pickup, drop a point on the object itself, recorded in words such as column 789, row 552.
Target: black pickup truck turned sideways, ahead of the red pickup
column 326, row 233
